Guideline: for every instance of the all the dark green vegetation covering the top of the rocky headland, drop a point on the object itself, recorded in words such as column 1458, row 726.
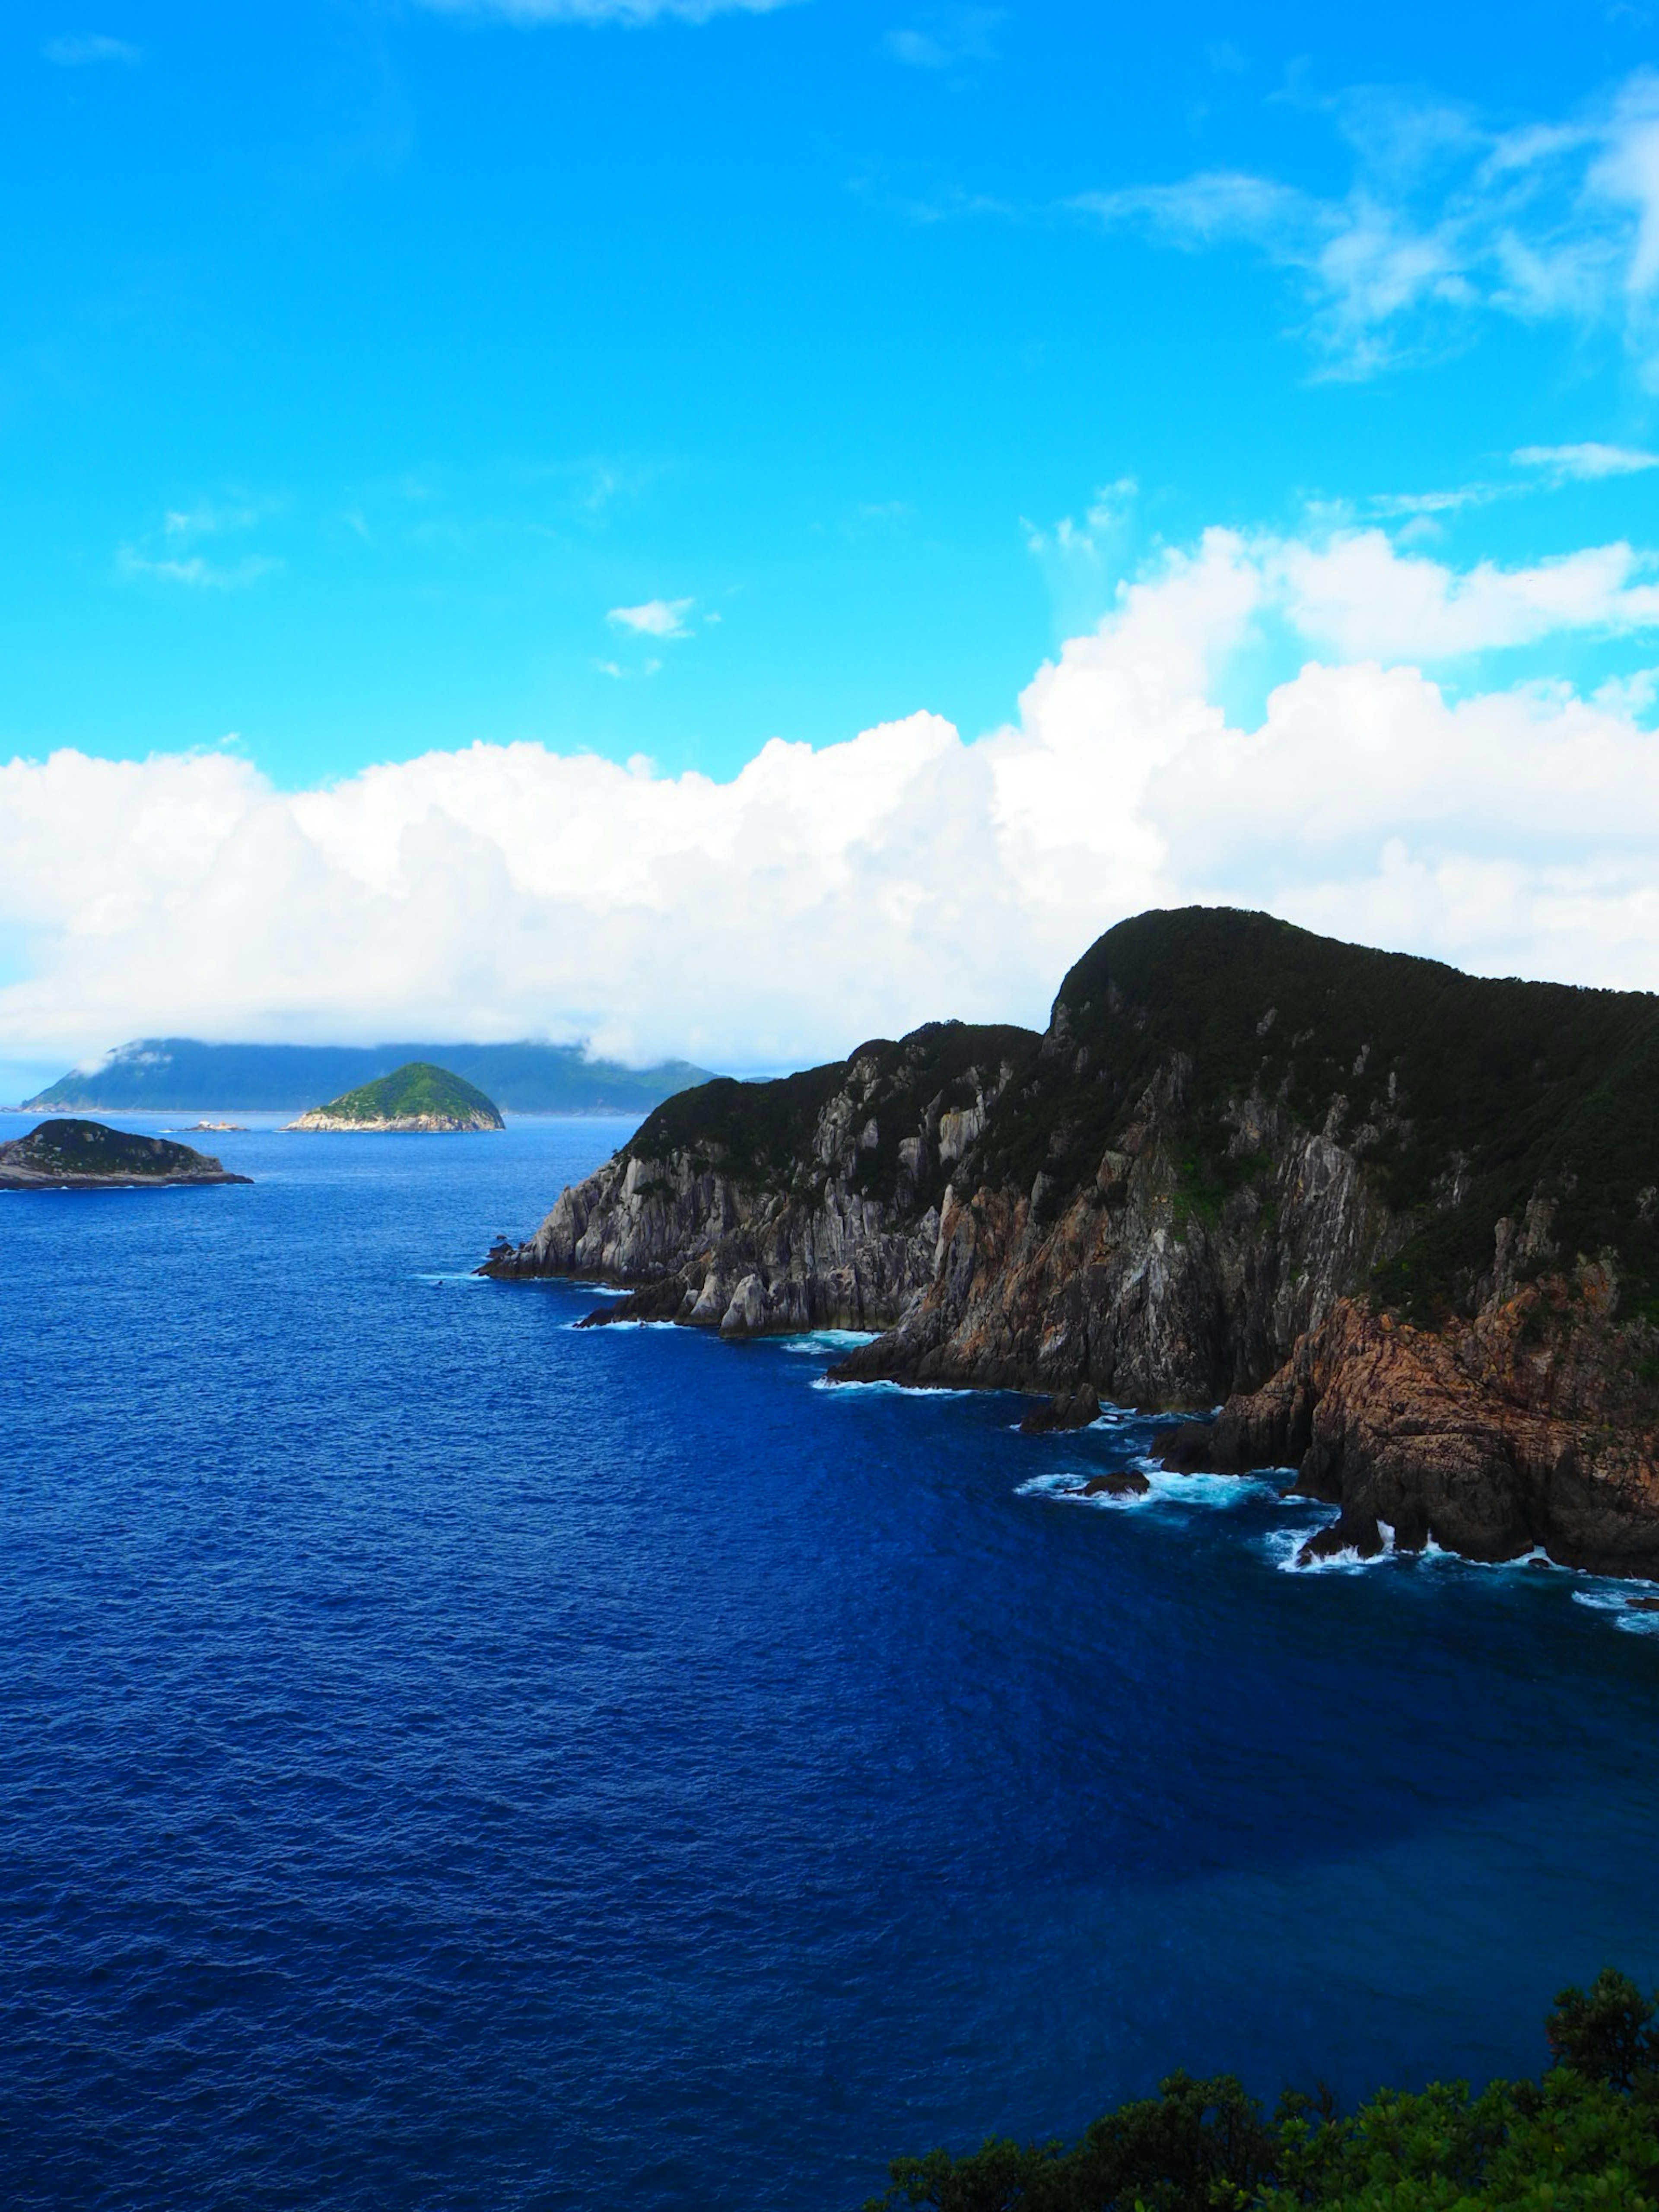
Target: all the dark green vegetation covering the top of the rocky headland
column 1465, row 1100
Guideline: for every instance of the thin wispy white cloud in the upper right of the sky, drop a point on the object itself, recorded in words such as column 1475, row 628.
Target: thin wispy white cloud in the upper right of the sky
column 1446, row 218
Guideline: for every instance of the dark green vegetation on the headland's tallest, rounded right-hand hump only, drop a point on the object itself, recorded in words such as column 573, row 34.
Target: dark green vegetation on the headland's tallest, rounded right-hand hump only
column 1463, row 1098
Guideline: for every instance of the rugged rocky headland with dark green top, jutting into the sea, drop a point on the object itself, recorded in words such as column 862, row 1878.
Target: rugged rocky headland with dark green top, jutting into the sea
column 1404, row 1220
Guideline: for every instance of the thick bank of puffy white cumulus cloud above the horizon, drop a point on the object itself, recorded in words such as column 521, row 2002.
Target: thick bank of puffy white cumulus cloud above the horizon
column 824, row 897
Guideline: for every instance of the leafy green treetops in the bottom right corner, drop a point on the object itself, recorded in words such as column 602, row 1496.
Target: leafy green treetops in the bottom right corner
column 1585, row 2138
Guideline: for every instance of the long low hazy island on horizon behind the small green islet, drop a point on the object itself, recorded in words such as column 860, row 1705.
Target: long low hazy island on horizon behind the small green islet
column 189, row 1076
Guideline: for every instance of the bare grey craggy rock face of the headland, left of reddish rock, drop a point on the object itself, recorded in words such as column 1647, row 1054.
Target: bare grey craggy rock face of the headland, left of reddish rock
column 1123, row 1286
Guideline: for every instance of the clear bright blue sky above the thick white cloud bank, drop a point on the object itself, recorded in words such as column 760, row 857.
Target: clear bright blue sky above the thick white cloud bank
column 359, row 359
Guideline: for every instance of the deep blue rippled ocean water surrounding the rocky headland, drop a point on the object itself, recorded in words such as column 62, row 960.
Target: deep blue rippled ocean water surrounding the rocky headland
column 452, row 1760
